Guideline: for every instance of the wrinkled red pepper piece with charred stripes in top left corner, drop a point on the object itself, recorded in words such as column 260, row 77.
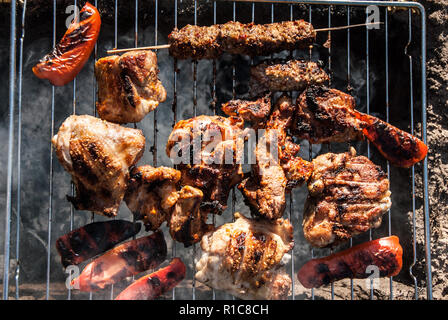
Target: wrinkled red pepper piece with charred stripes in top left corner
column 69, row 56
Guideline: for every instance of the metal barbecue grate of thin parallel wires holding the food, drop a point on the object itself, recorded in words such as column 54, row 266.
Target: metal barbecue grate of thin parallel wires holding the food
column 15, row 125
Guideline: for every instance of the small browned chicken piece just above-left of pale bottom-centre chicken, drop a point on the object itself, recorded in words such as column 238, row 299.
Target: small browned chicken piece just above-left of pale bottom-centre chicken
column 188, row 223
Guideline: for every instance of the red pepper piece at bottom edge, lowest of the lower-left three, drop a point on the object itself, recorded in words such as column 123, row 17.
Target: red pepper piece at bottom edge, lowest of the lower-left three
column 155, row 284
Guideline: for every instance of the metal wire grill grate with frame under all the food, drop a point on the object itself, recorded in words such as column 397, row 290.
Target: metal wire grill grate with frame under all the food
column 14, row 95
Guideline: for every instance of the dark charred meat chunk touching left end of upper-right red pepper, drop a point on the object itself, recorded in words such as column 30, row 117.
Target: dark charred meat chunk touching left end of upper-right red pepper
column 326, row 115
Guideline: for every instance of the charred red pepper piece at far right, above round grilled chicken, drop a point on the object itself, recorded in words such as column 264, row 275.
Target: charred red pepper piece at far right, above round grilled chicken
column 399, row 147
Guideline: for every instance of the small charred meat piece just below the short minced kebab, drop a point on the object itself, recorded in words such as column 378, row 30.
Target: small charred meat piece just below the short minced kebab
column 252, row 111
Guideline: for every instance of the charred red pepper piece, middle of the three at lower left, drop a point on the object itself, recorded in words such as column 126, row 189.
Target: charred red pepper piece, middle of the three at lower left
column 125, row 260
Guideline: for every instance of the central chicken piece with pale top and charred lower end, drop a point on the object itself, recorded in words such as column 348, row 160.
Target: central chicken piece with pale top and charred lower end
column 206, row 151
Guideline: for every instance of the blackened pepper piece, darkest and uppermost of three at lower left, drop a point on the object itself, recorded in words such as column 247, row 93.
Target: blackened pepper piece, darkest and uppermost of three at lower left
column 92, row 239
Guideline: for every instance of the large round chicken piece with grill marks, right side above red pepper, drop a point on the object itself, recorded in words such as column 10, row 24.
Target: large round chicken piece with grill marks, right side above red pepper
column 348, row 195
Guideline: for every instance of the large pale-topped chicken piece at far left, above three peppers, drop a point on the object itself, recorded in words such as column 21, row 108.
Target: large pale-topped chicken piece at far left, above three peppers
column 98, row 155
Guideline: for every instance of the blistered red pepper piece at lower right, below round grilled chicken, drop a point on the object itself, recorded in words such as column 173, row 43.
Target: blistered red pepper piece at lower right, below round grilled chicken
column 385, row 253
